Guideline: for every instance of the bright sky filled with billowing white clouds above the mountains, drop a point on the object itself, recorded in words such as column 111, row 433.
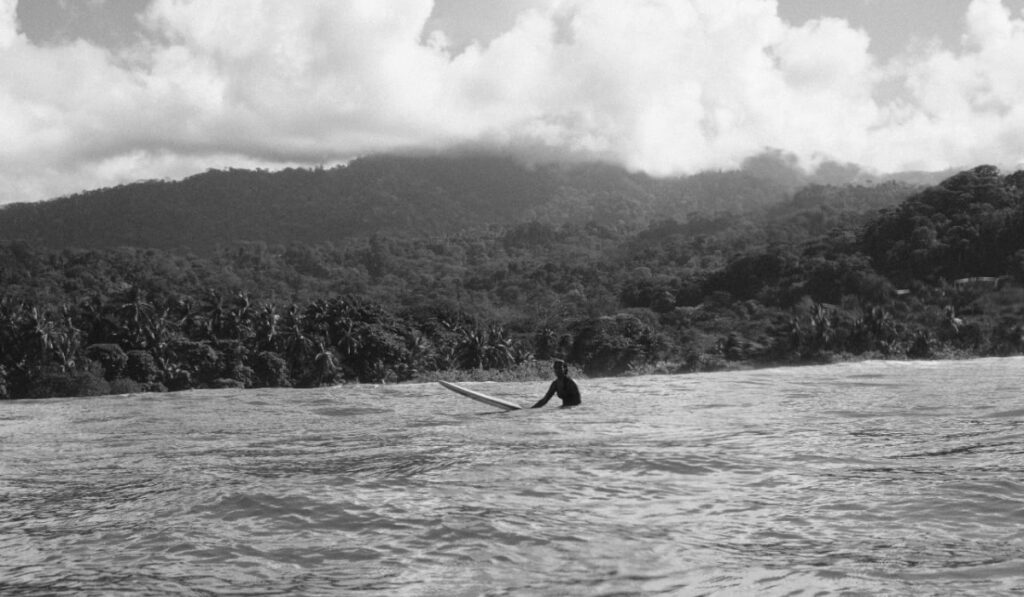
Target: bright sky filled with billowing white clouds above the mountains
column 103, row 93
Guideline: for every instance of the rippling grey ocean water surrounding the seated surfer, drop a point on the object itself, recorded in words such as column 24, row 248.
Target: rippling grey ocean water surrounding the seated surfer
column 871, row 479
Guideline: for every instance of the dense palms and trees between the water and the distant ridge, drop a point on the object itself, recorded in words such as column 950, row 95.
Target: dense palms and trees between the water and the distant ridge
column 820, row 276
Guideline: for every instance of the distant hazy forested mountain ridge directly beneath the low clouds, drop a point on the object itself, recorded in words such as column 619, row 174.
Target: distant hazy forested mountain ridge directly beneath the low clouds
column 391, row 195
